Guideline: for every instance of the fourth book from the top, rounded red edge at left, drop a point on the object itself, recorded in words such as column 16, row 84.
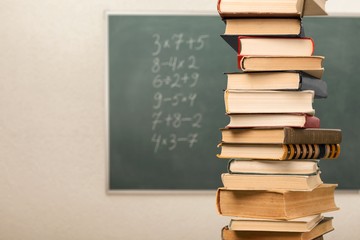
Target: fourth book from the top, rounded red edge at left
column 312, row 65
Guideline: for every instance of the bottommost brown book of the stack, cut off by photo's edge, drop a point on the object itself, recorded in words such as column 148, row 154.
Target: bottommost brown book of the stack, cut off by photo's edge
column 325, row 226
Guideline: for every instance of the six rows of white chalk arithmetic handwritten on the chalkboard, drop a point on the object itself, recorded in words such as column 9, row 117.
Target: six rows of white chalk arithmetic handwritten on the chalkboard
column 175, row 79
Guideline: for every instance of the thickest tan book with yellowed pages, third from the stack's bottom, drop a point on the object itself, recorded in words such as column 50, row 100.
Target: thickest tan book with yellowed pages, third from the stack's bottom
column 281, row 205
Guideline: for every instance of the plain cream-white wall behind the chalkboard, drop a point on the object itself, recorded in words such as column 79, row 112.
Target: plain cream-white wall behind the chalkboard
column 52, row 133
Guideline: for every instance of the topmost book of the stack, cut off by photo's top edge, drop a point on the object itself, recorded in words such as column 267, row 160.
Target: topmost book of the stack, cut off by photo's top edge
column 271, row 8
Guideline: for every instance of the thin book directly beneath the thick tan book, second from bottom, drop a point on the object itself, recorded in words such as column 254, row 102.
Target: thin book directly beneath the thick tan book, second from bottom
column 304, row 224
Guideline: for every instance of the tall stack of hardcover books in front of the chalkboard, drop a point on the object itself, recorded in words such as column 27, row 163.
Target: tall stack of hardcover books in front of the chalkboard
column 274, row 142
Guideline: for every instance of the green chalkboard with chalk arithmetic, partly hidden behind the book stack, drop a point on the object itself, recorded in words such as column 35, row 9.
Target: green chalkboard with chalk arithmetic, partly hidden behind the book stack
column 165, row 99
